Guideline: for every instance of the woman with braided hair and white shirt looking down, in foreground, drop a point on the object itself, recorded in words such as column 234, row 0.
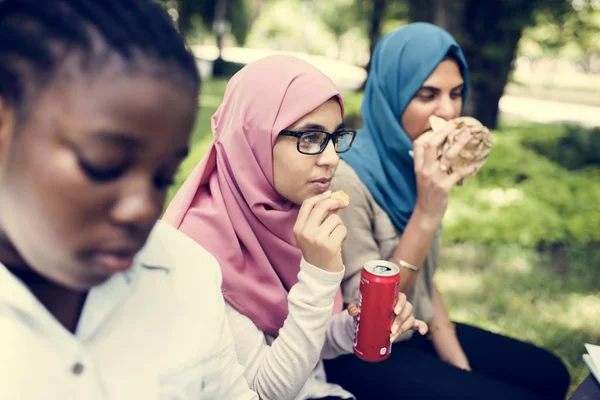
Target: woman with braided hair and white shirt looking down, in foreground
column 97, row 299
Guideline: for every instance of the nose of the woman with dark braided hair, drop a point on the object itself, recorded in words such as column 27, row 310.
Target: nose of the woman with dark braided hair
column 139, row 206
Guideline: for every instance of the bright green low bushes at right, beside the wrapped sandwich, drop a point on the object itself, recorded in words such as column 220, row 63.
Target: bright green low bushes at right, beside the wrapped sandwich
column 525, row 198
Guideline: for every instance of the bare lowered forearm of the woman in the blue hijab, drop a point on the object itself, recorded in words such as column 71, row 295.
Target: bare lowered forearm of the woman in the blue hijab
column 444, row 336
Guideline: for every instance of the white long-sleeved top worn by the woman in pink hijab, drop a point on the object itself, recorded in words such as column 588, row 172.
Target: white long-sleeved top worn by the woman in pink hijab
column 289, row 366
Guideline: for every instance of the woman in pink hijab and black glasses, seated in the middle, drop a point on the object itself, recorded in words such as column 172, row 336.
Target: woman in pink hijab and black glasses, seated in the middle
column 259, row 202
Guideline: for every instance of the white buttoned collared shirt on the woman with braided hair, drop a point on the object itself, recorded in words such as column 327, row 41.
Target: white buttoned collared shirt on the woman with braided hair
column 157, row 331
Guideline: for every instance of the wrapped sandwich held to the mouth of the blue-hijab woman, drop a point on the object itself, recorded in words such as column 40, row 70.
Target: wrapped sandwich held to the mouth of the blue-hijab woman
column 476, row 151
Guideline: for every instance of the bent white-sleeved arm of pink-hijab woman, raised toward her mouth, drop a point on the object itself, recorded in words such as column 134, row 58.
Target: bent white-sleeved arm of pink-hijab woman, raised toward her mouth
column 281, row 369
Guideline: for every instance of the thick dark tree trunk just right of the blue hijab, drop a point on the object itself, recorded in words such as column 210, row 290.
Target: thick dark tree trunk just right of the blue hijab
column 488, row 32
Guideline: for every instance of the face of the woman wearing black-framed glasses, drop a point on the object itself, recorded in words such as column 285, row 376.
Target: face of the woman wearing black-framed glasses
column 299, row 176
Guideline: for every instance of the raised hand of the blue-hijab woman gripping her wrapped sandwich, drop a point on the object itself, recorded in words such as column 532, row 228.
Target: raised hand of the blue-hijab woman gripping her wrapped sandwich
column 434, row 184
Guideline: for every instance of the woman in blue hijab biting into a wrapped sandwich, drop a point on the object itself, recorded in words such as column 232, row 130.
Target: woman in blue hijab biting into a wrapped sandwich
column 397, row 205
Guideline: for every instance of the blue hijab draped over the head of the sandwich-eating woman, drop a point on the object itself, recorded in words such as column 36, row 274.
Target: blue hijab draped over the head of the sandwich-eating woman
column 402, row 62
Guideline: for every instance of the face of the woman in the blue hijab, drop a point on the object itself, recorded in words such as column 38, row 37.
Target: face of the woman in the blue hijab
column 440, row 95
